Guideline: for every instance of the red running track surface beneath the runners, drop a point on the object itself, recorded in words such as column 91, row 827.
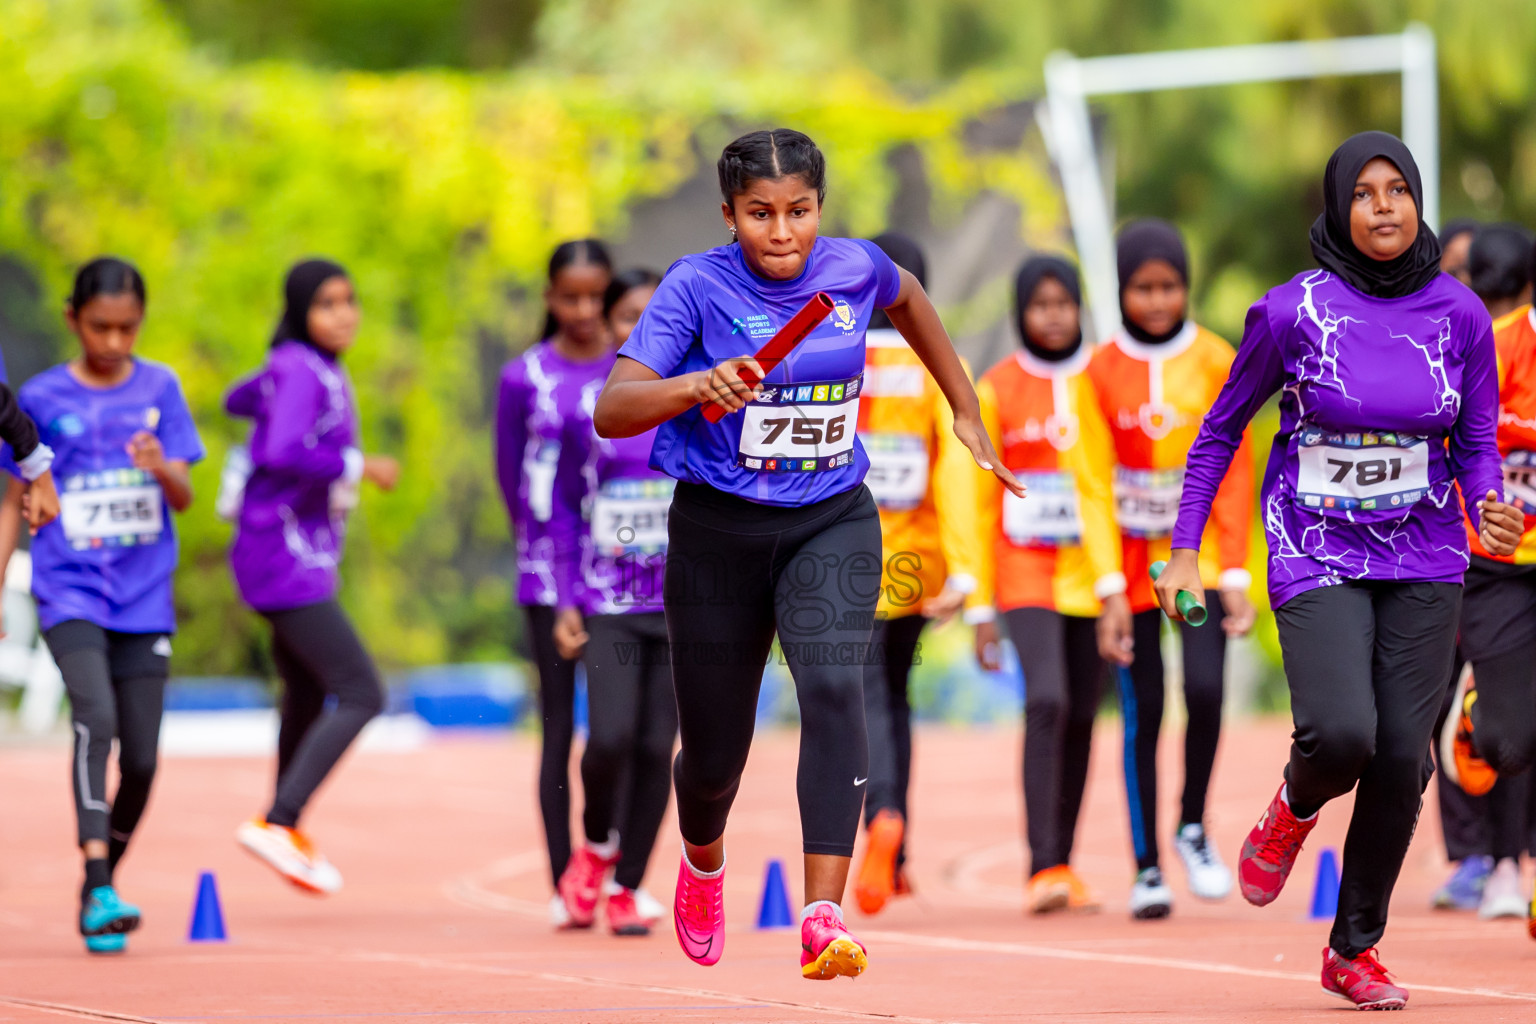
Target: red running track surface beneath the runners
column 443, row 916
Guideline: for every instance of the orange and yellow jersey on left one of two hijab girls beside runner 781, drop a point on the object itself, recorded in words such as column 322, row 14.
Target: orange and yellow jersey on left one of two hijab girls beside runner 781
column 1059, row 547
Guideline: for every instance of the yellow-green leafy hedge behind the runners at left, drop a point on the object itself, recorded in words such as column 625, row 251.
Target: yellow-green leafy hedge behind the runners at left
column 443, row 193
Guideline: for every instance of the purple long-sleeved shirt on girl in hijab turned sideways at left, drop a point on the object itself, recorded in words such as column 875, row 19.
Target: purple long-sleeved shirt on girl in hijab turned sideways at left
column 291, row 532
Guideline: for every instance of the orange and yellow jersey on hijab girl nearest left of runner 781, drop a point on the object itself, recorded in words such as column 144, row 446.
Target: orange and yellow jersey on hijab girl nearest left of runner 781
column 1156, row 398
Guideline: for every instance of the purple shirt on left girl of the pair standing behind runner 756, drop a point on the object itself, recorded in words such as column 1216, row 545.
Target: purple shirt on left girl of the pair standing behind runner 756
column 540, row 477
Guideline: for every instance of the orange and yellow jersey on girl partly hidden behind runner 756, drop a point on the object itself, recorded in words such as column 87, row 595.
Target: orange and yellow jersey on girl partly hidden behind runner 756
column 922, row 480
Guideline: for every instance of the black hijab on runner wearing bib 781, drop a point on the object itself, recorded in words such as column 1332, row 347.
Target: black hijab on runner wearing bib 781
column 1331, row 240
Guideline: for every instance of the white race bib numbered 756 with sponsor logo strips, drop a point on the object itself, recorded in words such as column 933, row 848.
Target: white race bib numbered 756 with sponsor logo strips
column 801, row 428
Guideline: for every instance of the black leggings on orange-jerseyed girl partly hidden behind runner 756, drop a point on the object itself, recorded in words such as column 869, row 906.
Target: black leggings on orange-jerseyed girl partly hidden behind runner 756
column 889, row 715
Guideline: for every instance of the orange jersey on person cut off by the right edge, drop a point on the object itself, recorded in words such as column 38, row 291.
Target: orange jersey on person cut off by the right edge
column 1515, row 339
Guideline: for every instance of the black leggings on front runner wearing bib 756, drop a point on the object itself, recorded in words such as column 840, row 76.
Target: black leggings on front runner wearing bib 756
column 737, row 572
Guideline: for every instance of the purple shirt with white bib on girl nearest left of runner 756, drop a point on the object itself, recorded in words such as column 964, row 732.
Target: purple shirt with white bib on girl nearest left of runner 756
column 626, row 504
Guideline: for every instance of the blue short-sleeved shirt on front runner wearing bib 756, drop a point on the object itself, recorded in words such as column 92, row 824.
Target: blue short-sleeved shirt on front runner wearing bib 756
column 798, row 444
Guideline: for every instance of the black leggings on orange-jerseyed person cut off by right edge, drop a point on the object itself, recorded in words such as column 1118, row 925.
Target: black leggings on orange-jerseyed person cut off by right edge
column 1498, row 636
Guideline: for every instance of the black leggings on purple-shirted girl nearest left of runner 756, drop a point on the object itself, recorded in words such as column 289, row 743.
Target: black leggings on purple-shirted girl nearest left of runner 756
column 634, row 724
